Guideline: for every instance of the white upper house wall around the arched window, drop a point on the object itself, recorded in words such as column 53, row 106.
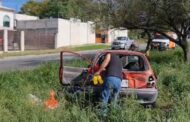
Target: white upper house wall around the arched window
column 11, row 16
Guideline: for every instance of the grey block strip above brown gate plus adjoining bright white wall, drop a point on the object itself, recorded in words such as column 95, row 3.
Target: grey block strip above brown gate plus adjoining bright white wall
column 69, row 32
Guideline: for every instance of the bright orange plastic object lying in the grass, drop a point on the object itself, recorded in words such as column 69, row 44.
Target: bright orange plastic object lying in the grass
column 51, row 103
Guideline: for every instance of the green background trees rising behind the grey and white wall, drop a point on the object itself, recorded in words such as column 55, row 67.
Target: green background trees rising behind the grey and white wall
column 85, row 10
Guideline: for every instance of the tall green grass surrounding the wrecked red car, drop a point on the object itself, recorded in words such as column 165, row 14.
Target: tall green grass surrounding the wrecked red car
column 172, row 103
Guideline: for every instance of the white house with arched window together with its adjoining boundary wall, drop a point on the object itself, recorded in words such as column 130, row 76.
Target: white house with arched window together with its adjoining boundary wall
column 24, row 32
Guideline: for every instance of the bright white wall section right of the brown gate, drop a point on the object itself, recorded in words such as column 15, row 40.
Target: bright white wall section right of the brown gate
column 74, row 33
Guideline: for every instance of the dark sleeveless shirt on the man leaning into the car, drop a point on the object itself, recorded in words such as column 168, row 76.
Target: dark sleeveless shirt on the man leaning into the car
column 114, row 67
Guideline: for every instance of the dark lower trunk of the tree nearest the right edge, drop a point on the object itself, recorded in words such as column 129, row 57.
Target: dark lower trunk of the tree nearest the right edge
column 186, row 52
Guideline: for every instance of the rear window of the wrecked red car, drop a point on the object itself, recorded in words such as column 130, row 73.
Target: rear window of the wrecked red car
column 133, row 63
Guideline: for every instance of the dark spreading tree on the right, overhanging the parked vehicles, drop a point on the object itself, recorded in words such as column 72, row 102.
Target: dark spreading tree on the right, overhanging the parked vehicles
column 154, row 16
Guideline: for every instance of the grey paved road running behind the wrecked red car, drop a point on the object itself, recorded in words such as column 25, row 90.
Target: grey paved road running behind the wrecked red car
column 30, row 62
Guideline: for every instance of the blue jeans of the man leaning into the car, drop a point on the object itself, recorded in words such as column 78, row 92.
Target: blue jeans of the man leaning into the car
column 111, row 84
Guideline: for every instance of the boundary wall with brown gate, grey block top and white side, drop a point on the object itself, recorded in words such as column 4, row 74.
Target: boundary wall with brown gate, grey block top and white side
column 55, row 33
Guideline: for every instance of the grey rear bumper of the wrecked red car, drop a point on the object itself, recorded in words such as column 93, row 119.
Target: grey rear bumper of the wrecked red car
column 144, row 96
